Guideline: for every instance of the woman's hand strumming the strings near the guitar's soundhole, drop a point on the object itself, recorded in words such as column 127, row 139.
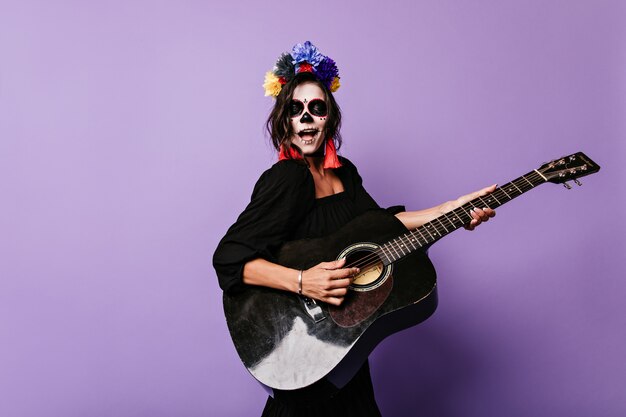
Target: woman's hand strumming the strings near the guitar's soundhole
column 328, row 281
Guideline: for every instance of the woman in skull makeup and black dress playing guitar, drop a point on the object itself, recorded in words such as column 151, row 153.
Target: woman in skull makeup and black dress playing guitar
column 310, row 192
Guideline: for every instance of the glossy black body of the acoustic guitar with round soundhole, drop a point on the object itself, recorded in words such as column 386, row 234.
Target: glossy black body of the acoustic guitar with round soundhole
column 288, row 342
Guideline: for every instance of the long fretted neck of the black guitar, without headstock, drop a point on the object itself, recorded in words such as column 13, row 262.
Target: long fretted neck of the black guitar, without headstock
column 448, row 222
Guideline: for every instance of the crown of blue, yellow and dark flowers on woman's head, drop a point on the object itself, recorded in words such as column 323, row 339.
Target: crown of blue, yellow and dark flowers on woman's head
column 304, row 57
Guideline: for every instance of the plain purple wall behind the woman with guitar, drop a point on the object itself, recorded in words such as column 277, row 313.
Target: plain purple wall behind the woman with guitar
column 130, row 139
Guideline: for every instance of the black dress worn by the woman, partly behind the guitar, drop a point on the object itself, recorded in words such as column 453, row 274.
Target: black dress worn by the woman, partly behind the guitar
column 283, row 207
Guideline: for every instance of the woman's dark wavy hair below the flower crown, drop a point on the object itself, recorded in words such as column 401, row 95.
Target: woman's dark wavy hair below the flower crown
column 278, row 123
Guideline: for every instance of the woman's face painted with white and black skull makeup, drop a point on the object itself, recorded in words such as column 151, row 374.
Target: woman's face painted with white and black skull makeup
column 308, row 112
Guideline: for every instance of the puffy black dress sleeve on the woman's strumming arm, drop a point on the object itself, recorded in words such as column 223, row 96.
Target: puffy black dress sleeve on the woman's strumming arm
column 282, row 196
